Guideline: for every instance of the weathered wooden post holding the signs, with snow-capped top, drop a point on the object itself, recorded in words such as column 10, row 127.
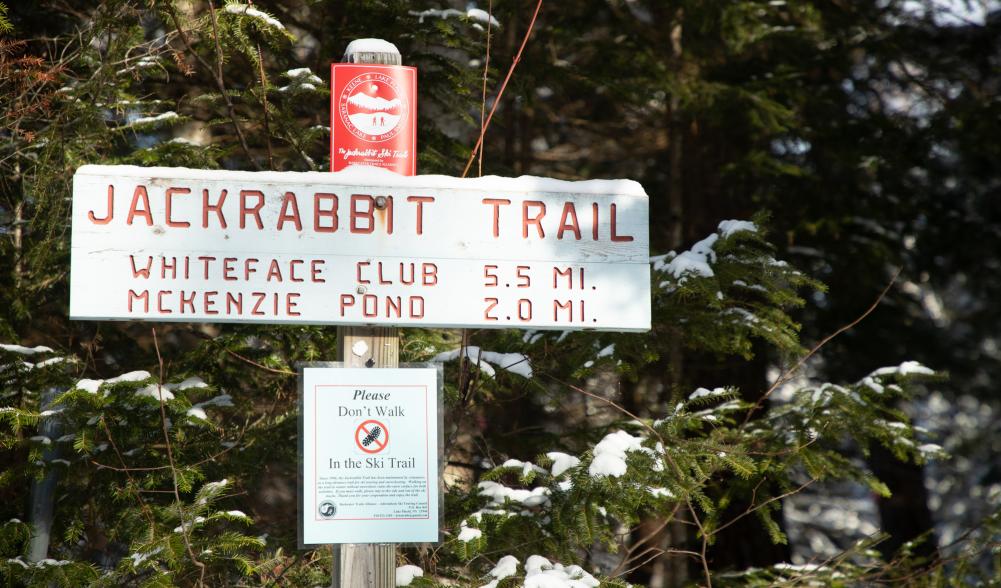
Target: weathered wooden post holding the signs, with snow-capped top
column 360, row 565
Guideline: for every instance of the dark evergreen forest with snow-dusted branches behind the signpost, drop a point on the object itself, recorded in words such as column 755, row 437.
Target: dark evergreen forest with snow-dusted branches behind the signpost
column 862, row 139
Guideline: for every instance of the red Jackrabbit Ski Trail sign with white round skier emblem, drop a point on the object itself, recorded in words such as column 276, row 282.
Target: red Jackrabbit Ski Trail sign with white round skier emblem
column 373, row 117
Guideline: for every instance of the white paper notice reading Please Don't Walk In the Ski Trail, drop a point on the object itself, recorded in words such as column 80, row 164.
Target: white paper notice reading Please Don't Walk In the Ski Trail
column 370, row 456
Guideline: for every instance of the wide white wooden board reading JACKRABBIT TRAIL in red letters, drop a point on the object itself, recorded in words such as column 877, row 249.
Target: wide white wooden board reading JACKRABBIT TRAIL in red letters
column 360, row 247
